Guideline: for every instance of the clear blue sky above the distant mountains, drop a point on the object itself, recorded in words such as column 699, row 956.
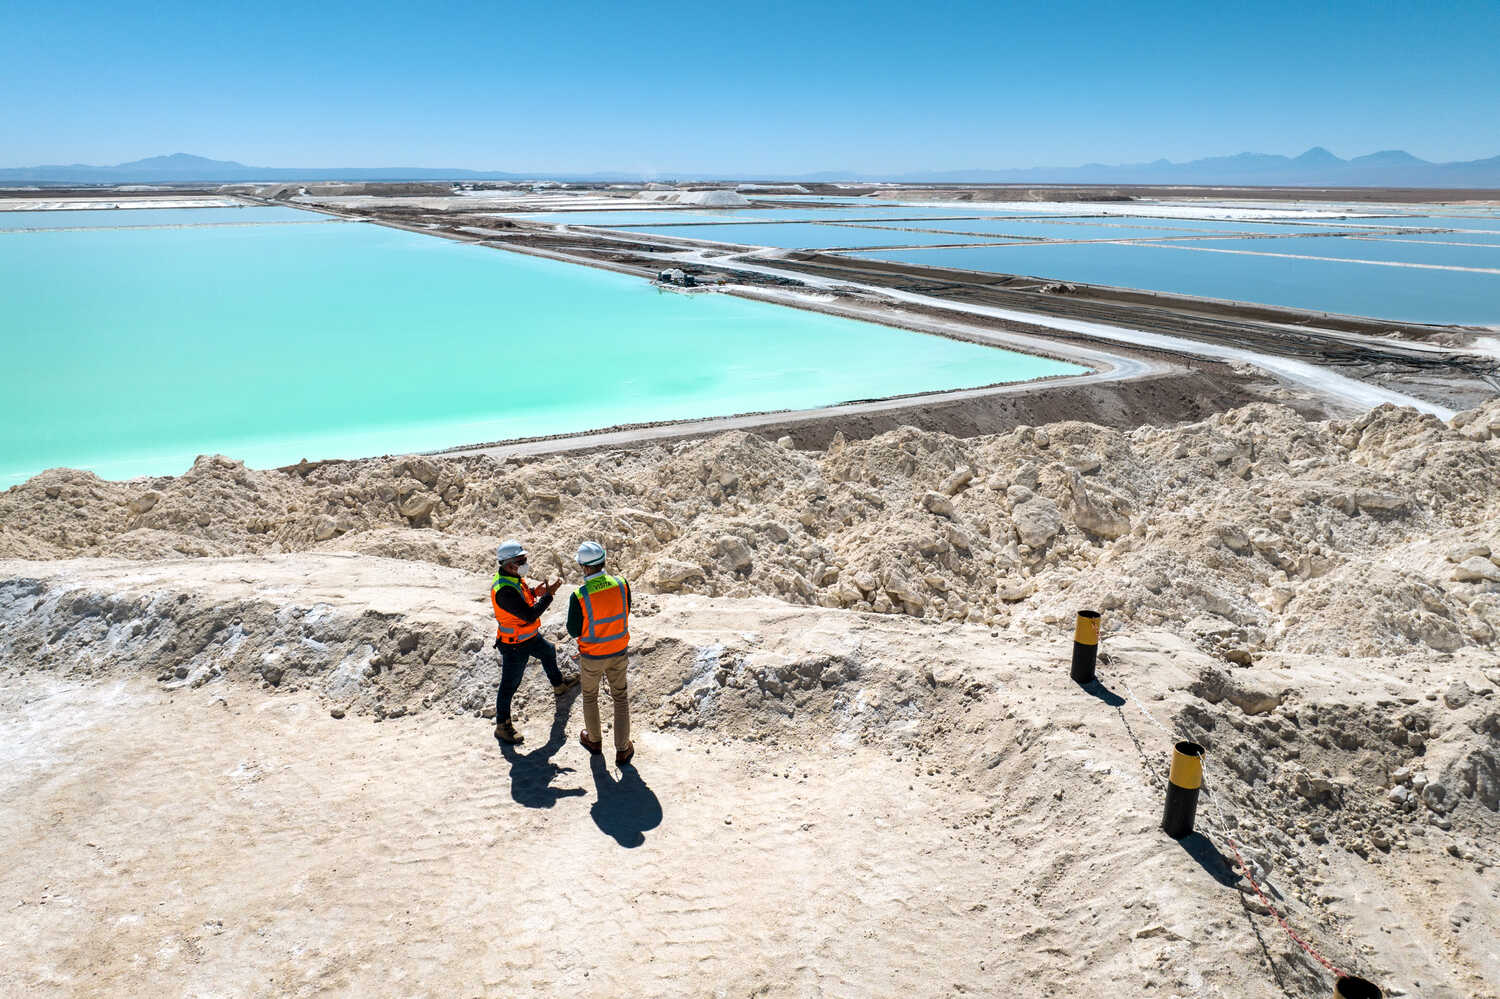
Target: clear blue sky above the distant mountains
column 764, row 88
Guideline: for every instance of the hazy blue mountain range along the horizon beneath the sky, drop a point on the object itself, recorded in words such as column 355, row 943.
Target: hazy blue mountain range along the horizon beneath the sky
column 1315, row 169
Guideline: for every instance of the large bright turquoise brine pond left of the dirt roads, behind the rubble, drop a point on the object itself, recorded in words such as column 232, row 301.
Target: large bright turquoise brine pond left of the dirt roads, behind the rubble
column 130, row 353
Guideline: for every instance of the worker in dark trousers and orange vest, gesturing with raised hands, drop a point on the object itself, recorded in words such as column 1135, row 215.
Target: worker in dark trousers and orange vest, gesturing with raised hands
column 518, row 634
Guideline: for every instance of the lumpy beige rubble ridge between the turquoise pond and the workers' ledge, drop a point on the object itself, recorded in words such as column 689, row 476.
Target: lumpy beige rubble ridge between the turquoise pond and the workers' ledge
column 1252, row 532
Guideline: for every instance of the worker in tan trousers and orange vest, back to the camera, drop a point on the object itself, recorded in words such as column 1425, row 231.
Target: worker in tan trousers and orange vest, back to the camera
column 599, row 619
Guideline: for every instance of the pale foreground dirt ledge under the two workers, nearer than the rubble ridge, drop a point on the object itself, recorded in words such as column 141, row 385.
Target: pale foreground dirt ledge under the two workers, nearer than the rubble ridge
column 946, row 781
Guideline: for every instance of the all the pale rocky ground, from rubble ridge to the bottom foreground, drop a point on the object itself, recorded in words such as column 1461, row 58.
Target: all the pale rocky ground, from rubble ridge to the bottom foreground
column 863, row 769
